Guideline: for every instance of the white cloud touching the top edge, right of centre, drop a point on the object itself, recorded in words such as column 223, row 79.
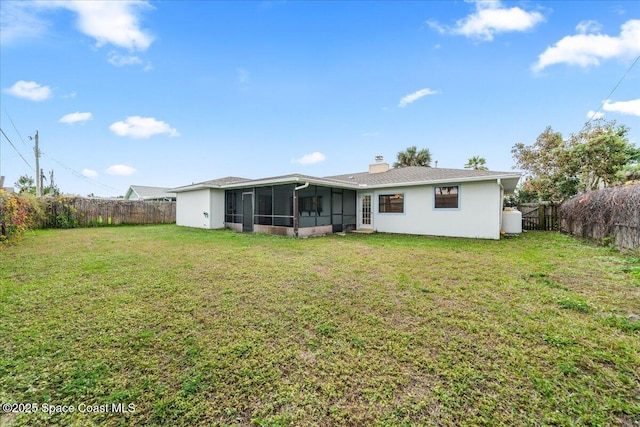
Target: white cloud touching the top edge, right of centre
column 491, row 18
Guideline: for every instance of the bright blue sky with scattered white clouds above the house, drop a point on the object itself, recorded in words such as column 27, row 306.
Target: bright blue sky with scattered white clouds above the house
column 170, row 93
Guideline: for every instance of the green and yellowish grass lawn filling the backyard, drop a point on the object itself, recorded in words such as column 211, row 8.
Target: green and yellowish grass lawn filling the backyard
column 196, row 327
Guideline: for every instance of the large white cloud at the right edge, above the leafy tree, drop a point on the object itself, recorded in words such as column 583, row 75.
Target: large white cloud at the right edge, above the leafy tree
column 588, row 49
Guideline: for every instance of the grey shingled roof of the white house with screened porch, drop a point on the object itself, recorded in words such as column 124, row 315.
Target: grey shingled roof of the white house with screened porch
column 405, row 176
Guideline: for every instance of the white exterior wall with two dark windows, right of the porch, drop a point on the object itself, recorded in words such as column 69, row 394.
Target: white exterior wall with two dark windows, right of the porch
column 478, row 216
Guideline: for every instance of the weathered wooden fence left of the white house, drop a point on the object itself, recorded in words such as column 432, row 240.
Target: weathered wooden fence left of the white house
column 69, row 212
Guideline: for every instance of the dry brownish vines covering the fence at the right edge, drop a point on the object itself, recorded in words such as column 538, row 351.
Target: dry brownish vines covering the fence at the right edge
column 610, row 215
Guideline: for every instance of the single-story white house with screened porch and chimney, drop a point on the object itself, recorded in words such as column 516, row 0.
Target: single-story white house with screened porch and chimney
column 410, row 200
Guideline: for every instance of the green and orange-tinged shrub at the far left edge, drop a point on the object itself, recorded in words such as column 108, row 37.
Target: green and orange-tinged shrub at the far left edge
column 18, row 213
